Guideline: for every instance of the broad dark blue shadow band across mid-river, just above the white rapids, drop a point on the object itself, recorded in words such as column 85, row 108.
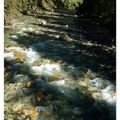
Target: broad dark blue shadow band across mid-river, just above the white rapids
column 72, row 52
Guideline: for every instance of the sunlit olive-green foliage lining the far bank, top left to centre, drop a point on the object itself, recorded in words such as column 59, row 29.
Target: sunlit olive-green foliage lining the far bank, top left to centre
column 14, row 7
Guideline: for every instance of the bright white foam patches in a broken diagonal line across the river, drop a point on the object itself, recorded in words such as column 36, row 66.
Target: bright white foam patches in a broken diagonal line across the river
column 106, row 89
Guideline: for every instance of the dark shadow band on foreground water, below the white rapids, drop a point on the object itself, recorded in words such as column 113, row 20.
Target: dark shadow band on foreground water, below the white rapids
column 89, row 109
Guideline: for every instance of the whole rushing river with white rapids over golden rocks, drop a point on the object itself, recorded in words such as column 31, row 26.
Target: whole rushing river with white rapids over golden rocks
column 49, row 76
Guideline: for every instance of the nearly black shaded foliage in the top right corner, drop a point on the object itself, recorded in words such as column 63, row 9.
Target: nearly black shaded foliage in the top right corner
column 103, row 10
